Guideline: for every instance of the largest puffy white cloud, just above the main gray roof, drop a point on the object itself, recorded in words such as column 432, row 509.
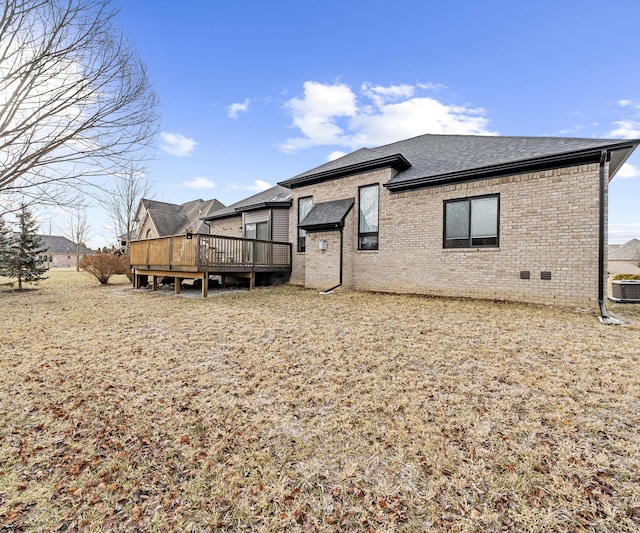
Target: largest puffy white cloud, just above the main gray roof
column 377, row 116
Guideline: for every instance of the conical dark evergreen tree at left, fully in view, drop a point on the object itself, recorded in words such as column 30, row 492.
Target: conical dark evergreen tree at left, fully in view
column 25, row 261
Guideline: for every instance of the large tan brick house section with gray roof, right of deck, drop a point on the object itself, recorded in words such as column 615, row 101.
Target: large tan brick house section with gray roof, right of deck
column 509, row 218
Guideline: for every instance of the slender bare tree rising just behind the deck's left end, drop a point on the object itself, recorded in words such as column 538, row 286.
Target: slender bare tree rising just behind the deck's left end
column 121, row 203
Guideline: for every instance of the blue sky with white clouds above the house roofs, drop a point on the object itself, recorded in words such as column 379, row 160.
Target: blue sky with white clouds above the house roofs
column 253, row 92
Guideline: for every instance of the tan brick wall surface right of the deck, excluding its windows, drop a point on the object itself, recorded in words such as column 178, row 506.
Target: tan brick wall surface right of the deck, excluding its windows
column 548, row 222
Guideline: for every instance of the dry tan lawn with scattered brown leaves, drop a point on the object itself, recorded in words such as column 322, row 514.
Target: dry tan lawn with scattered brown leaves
column 283, row 410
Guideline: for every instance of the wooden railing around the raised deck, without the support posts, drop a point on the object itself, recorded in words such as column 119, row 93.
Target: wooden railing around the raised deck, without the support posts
column 202, row 252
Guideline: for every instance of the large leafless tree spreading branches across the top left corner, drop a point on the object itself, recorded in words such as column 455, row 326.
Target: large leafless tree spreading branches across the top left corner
column 75, row 100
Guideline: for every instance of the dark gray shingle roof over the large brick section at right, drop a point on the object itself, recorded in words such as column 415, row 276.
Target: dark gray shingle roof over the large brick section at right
column 429, row 160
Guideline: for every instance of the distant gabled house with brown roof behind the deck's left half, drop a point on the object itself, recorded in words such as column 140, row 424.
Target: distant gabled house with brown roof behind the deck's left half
column 161, row 219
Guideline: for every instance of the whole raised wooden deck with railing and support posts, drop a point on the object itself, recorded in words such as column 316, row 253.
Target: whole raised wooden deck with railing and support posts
column 197, row 256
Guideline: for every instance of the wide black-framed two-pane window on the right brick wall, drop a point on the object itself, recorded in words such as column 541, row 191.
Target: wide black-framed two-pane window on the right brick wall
column 472, row 222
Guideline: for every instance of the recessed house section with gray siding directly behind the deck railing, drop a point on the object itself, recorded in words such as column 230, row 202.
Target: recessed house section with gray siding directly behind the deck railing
column 263, row 216
